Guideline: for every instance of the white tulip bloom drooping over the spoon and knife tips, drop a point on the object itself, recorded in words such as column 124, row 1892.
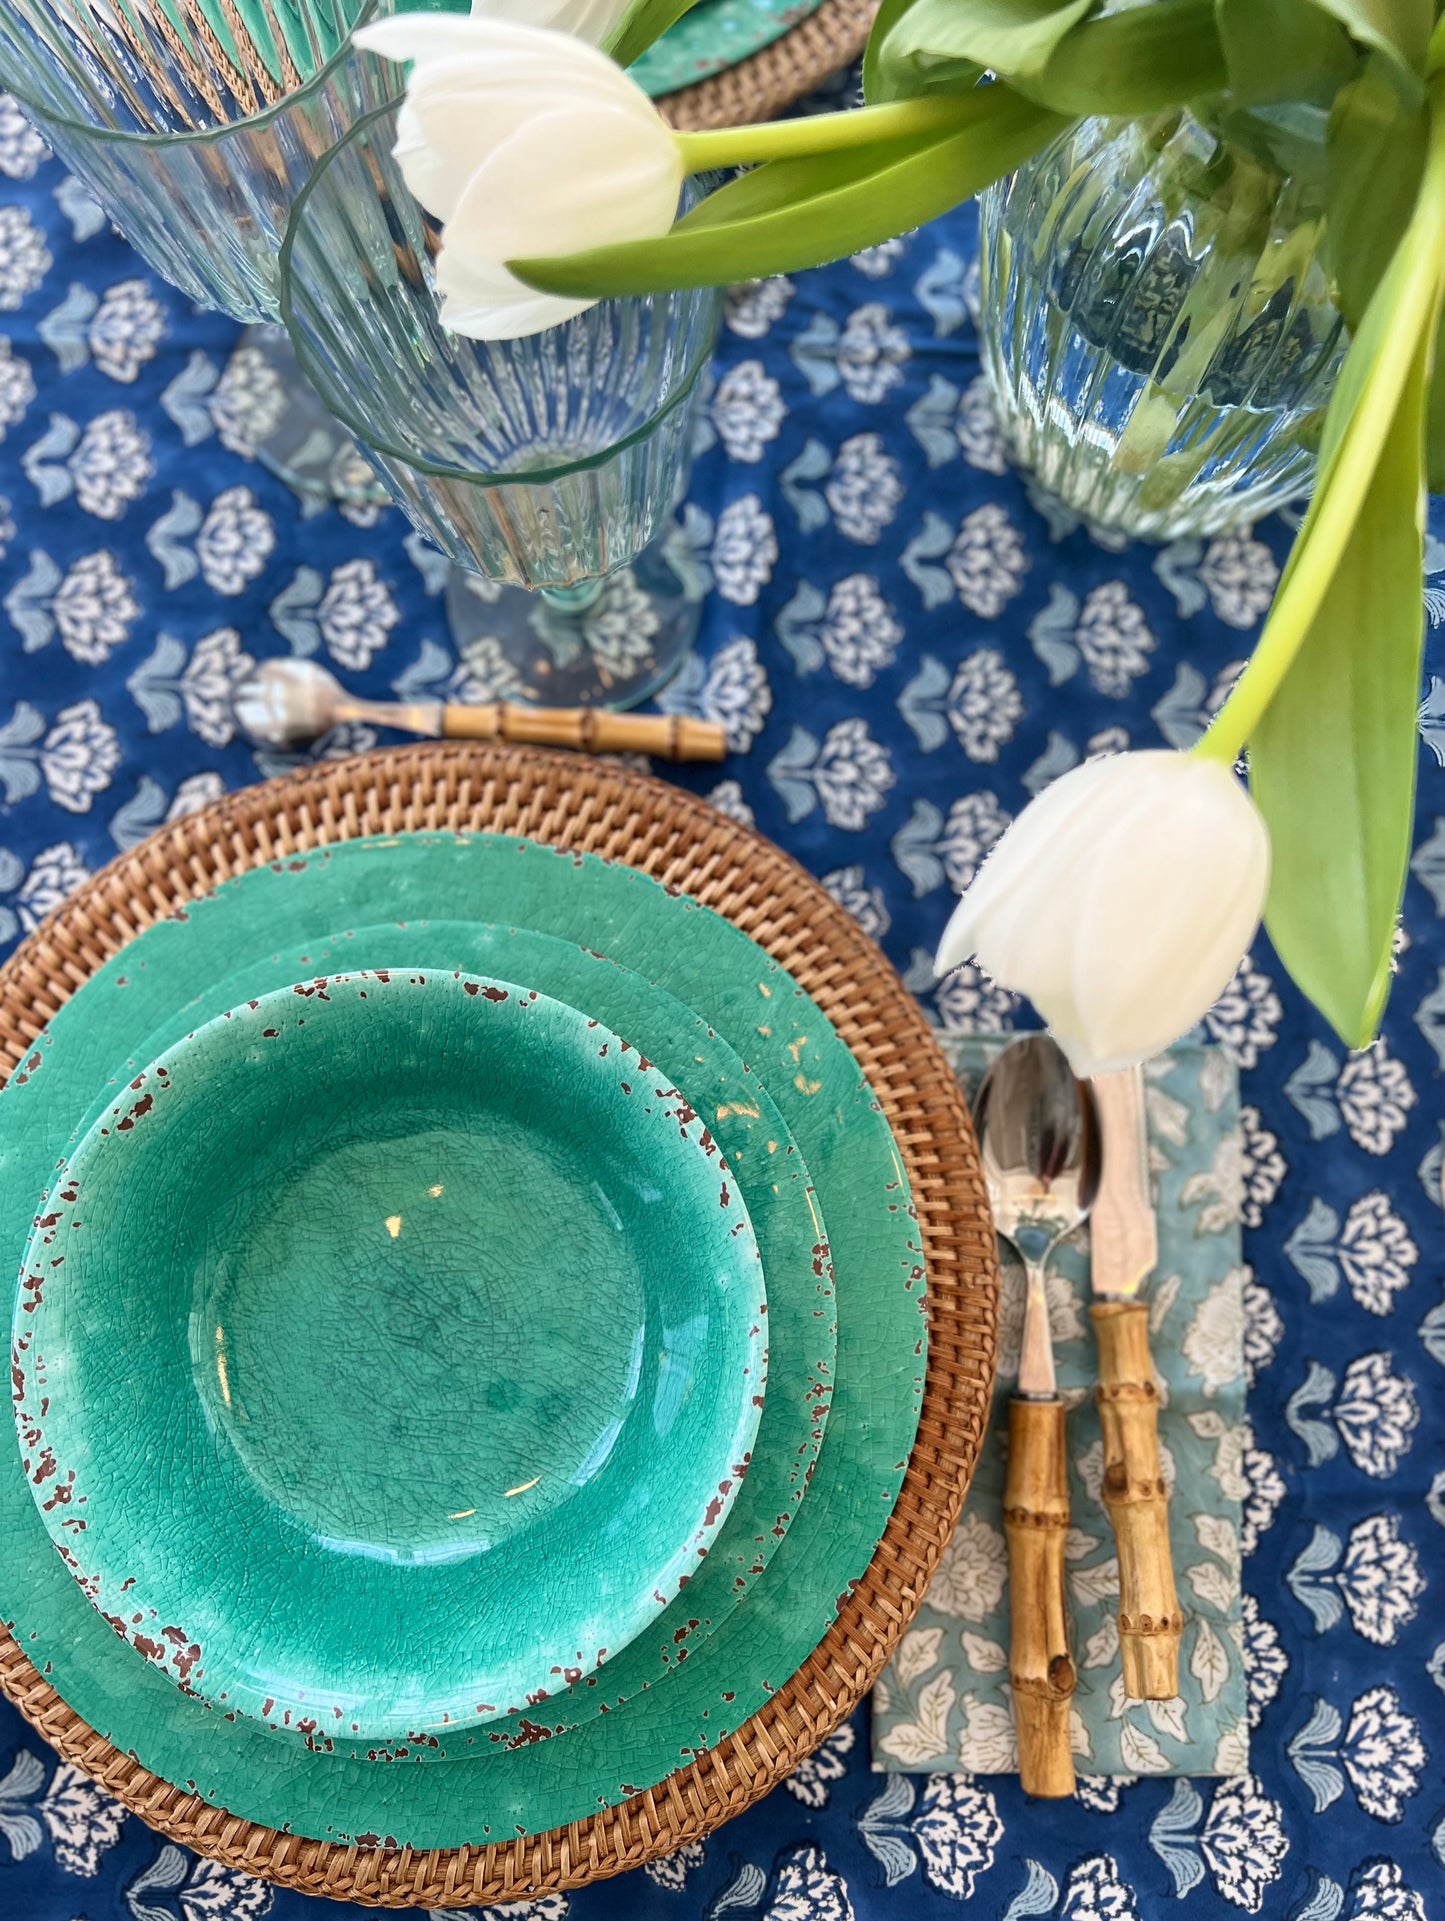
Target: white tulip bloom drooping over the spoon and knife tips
column 1121, row 902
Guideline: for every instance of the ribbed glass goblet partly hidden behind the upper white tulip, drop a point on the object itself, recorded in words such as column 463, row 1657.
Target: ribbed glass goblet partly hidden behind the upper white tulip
column 549, row 468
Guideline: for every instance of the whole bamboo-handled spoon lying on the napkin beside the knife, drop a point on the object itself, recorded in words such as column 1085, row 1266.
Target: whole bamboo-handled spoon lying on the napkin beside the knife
column 1041, row 1148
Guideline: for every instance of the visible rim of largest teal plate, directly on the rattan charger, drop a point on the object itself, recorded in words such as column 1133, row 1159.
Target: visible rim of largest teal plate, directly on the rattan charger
column 777, row 1029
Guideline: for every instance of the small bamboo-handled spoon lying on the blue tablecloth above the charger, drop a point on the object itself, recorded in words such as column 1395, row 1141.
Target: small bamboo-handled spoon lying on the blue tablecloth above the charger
column 289, row 702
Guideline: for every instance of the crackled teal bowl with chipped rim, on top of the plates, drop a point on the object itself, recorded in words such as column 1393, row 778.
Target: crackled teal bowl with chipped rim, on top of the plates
column 391, row 1353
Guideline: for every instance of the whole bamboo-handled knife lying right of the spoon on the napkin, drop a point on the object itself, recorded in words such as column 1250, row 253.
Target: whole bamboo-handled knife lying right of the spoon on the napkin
column 1123, row 1253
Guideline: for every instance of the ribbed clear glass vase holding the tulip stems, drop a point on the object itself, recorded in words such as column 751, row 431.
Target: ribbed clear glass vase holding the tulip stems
column 1158, row 320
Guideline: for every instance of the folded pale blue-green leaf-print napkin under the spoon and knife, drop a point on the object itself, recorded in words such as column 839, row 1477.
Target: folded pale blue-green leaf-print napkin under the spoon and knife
column 944, row 1699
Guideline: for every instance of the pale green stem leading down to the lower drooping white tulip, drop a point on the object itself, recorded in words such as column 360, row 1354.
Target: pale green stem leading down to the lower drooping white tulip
column 1348, row 477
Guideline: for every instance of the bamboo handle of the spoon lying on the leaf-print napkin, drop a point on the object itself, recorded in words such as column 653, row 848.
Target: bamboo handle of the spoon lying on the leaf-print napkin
column 1041, row 1666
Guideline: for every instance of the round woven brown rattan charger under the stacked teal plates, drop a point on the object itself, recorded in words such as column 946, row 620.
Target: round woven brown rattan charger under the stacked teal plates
column 687, row 844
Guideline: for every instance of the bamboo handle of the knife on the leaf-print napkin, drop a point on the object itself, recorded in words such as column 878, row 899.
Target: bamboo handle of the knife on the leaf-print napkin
column 1150, row 1620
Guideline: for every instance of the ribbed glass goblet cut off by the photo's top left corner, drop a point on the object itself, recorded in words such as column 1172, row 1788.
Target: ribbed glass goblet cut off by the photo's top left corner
column 195, row 135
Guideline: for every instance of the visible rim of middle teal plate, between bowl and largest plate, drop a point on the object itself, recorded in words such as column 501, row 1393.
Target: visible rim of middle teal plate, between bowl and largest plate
column 787, row 1223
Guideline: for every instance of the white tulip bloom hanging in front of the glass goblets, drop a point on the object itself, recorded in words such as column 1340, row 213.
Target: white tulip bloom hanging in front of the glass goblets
column 522, row 141
